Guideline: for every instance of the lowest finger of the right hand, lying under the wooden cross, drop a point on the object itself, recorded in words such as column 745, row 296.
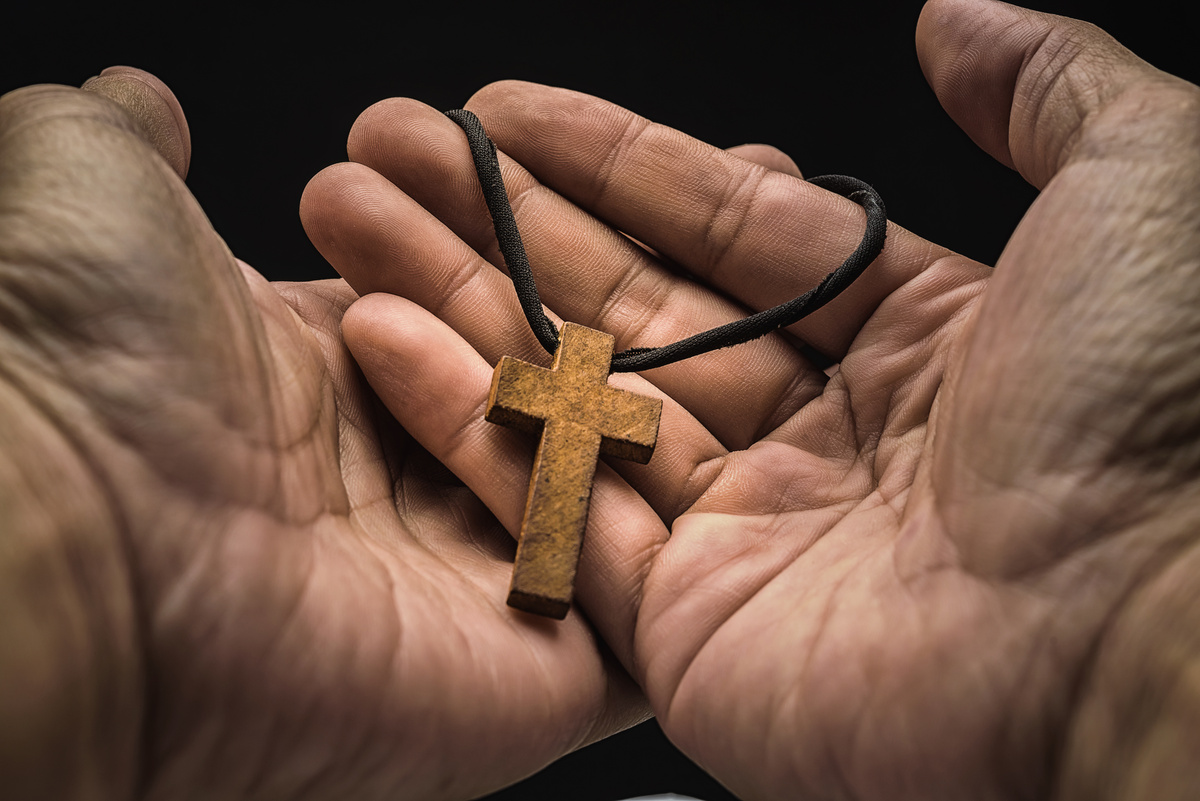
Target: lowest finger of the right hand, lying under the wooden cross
column 436, row 386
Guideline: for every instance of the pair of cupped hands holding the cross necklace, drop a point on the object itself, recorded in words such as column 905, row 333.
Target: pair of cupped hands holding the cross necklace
column 959, row 568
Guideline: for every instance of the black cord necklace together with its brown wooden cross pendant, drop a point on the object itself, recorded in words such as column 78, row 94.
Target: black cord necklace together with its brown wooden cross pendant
column 572, row 407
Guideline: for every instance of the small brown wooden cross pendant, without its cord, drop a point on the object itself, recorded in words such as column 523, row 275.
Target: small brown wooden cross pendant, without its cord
column 579, row 418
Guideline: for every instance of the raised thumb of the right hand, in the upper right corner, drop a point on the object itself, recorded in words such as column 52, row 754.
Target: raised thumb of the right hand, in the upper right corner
column 1030, row 88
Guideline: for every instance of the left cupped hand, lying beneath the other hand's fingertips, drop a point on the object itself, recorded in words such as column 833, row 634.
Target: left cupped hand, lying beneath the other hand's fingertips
column 224, row 573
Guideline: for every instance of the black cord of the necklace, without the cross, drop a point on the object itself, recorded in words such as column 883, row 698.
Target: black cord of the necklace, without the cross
column 488, row 168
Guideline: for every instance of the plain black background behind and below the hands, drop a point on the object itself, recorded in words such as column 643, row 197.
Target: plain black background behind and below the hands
column 272, row 94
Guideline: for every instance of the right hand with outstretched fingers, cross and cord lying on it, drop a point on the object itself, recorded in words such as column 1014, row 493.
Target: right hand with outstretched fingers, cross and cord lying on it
column 965, row 565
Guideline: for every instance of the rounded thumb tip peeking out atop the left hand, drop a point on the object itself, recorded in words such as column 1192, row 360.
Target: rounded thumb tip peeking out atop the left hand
column 154, row 107
